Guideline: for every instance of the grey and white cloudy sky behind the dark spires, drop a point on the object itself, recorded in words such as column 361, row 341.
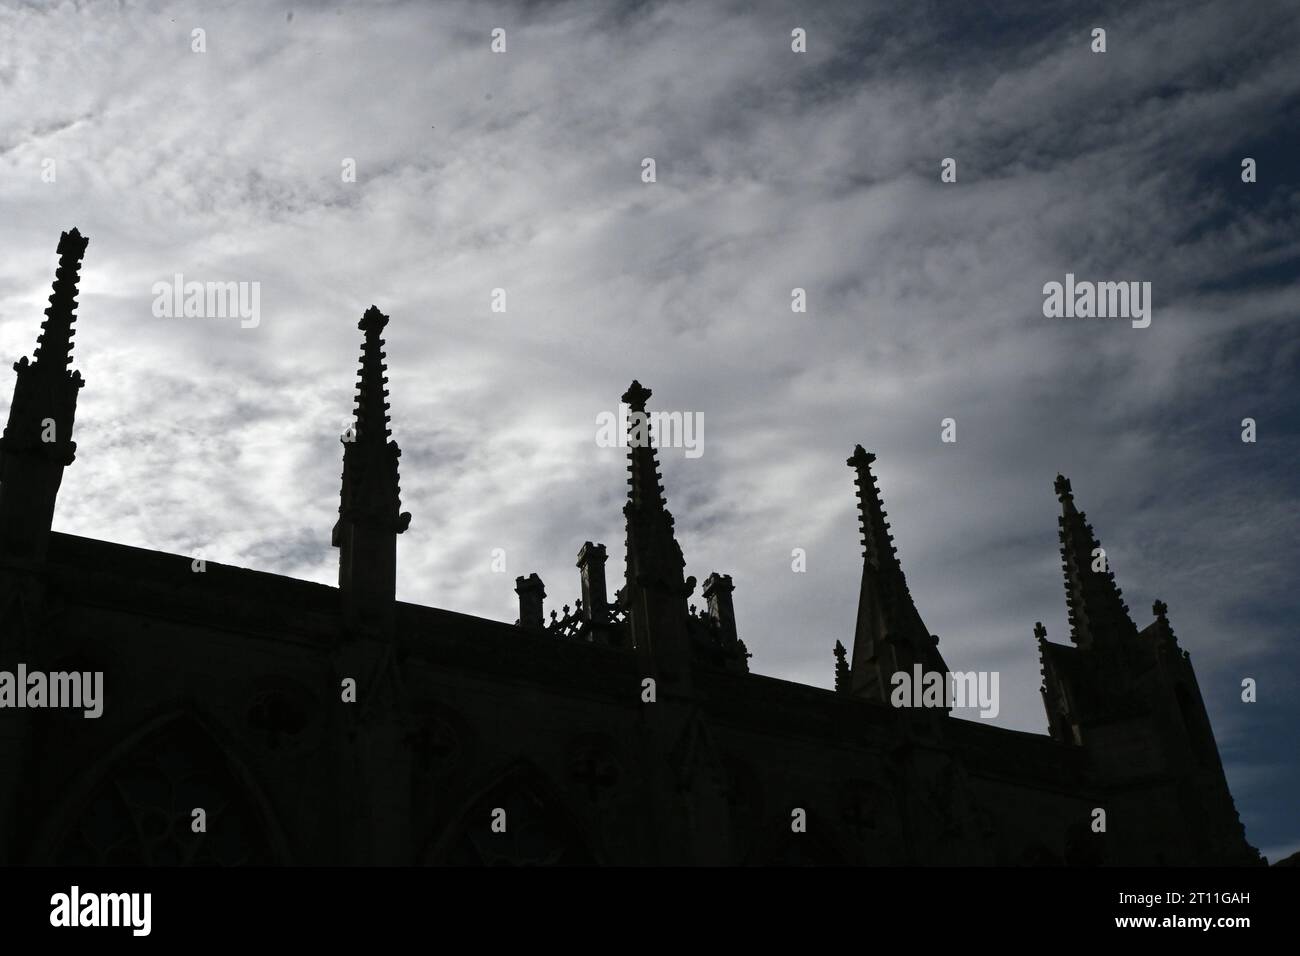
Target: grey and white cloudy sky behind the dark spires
column 523, row 171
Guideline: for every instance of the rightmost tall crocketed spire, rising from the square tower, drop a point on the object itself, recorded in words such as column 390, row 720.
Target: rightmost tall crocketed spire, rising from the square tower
column 1098, row 612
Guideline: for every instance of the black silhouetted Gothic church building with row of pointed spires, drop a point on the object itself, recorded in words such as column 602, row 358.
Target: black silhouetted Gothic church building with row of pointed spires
column 253, row 719
